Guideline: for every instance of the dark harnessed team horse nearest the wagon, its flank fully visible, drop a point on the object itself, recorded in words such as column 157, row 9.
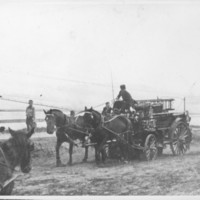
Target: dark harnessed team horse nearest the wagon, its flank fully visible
column 108, row 128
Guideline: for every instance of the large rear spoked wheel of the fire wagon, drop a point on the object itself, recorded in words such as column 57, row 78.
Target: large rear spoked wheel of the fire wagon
column 180, row 138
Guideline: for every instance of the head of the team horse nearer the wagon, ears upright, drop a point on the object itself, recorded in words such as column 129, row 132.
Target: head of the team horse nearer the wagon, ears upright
column 92, row 117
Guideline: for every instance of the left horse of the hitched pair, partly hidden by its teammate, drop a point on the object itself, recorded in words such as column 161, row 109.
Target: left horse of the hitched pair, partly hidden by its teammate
column 66, row 131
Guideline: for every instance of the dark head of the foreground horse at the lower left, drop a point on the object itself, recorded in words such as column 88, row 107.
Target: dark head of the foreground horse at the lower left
column 21, row 147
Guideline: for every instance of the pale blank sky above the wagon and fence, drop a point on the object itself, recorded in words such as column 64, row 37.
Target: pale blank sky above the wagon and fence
column 69, row 53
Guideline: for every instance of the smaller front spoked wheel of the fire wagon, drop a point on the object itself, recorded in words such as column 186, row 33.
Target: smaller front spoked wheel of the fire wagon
column 151, row 150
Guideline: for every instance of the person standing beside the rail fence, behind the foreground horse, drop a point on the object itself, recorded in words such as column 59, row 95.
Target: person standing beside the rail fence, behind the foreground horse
column 30, row 116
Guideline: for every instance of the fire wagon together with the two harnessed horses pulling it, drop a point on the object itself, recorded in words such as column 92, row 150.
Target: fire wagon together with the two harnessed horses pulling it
column 146, row 131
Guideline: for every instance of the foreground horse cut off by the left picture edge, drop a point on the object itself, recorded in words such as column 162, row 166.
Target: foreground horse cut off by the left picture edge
column 14, row 152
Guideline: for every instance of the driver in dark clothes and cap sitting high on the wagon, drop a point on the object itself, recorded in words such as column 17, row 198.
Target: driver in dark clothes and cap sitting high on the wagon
column 127, row 99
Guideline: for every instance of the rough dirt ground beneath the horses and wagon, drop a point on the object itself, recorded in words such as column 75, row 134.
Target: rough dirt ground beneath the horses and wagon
column 168, row 175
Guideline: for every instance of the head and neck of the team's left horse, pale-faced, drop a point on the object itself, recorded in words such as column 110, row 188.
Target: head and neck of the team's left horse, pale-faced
column 54, row 118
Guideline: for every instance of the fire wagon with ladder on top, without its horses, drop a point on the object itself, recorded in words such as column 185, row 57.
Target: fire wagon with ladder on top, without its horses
column 154, row 126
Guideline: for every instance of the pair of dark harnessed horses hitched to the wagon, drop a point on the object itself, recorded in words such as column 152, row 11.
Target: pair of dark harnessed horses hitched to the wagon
column 91, row 128
